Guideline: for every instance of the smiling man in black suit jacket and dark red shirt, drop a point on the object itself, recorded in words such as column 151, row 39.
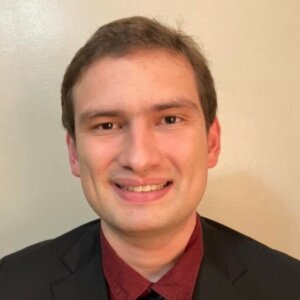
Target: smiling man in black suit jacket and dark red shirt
column 139, row 107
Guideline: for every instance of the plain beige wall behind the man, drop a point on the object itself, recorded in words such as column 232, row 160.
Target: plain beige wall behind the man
column 254, row 50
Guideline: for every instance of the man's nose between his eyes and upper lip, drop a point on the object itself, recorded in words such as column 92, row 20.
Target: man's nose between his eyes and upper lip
column 140, row 149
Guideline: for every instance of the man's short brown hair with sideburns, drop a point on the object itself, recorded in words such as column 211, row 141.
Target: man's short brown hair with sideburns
column 123, row 36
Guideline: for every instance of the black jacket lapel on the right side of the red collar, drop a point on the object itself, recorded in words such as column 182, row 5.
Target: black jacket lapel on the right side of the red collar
column 220, row 268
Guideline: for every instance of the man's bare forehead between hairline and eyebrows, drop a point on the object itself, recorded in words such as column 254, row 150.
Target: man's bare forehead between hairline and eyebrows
column 137, row 80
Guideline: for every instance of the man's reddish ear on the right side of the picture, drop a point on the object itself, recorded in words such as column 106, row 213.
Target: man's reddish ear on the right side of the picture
column 213, row 142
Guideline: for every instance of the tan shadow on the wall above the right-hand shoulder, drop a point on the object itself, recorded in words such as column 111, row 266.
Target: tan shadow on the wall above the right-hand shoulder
column 245, row 203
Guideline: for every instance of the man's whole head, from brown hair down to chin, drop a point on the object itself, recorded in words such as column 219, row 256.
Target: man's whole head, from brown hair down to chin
column 139, row 106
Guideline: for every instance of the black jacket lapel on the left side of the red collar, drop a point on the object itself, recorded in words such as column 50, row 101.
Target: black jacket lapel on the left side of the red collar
column 86, row 279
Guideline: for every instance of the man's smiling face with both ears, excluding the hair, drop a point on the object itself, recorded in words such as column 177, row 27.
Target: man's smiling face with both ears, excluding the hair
column 142, row 150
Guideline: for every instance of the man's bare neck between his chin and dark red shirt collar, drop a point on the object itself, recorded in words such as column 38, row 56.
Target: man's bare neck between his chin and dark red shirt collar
column 151, row 255
